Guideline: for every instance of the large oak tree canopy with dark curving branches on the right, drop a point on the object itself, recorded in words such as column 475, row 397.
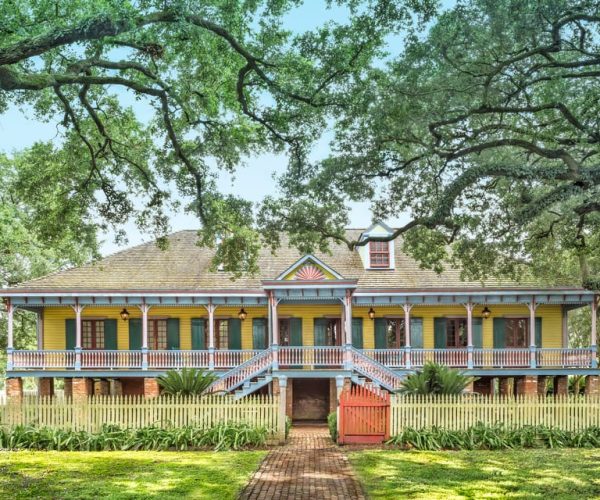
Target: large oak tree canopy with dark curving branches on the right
column 484, row 131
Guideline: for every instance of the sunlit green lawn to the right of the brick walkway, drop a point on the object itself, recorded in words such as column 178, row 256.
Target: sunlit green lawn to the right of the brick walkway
column 545, row 474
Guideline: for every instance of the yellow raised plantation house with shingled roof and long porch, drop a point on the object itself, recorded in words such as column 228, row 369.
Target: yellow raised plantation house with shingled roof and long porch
column 309, row 323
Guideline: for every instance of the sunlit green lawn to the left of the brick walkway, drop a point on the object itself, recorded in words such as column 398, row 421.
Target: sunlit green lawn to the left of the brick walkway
column 125, row 475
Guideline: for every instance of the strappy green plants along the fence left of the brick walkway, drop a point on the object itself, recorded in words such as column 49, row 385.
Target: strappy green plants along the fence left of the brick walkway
column 224, row 436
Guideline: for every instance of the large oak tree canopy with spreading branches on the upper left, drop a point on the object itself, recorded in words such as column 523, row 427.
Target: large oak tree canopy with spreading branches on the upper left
column 213, row 82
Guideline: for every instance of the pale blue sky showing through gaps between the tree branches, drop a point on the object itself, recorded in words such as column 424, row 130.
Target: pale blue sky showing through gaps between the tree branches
column 19, row 129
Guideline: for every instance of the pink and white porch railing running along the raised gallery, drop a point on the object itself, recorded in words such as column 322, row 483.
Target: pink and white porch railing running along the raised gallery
column 306, row 356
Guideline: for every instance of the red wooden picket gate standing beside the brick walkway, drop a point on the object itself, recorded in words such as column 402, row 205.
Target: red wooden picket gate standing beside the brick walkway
column 364, row 416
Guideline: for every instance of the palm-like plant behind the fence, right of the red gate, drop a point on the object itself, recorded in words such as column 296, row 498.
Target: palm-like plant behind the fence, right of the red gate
column 435, row 379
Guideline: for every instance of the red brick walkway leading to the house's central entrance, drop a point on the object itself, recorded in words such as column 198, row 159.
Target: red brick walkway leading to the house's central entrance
column 309, row 466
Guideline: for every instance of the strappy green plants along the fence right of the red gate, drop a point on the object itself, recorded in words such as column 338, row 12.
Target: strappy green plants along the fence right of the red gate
column 482, row 437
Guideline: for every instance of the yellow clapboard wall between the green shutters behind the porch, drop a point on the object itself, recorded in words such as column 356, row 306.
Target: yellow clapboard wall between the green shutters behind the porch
column 54, row 321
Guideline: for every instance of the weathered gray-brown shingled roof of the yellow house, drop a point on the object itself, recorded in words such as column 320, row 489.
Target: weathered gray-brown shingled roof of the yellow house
column 184, row 266
